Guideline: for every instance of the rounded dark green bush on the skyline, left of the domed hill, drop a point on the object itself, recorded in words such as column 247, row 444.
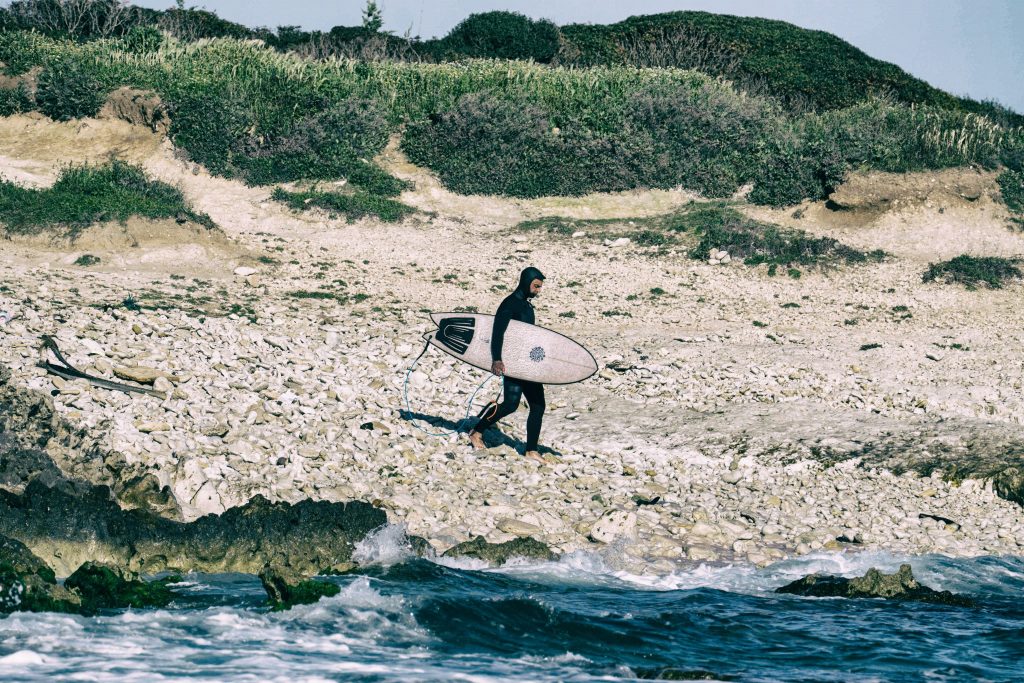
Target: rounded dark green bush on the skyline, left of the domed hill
column 502, row 35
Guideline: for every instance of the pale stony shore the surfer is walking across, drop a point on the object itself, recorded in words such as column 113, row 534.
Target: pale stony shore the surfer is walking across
column 737, row 417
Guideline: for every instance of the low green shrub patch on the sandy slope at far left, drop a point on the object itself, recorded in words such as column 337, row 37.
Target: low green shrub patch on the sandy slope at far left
column 87, row 195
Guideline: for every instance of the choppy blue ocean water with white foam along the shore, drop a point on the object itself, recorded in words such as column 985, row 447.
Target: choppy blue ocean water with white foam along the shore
column 405, row 619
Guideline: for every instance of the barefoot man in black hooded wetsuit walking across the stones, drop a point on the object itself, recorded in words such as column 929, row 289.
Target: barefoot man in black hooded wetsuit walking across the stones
column 517, row 307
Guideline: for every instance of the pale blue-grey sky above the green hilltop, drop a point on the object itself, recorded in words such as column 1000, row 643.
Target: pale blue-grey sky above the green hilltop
column 966, row 48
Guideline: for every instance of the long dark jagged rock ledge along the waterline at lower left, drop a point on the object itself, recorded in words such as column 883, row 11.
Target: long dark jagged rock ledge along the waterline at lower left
column 69, row 526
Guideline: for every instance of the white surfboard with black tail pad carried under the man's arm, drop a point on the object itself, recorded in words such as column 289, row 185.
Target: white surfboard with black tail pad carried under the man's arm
column 530, row 352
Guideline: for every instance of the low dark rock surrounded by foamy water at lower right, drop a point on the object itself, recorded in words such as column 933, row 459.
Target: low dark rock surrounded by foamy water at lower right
column 900, row 586
